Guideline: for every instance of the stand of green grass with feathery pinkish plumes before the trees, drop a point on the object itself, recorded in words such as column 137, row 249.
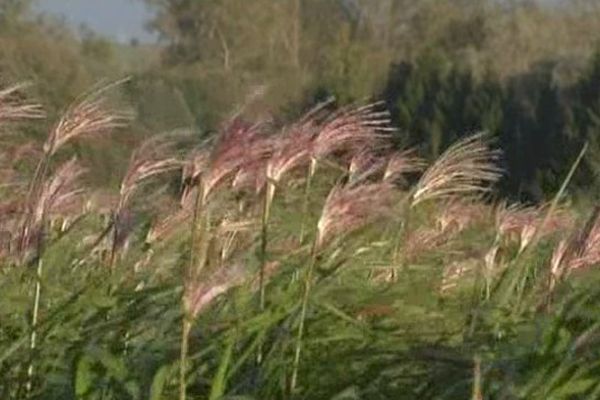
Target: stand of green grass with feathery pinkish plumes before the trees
column 307, row 260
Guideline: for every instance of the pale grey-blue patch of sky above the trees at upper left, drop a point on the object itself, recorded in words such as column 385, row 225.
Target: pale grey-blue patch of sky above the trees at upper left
column 119, row 19
